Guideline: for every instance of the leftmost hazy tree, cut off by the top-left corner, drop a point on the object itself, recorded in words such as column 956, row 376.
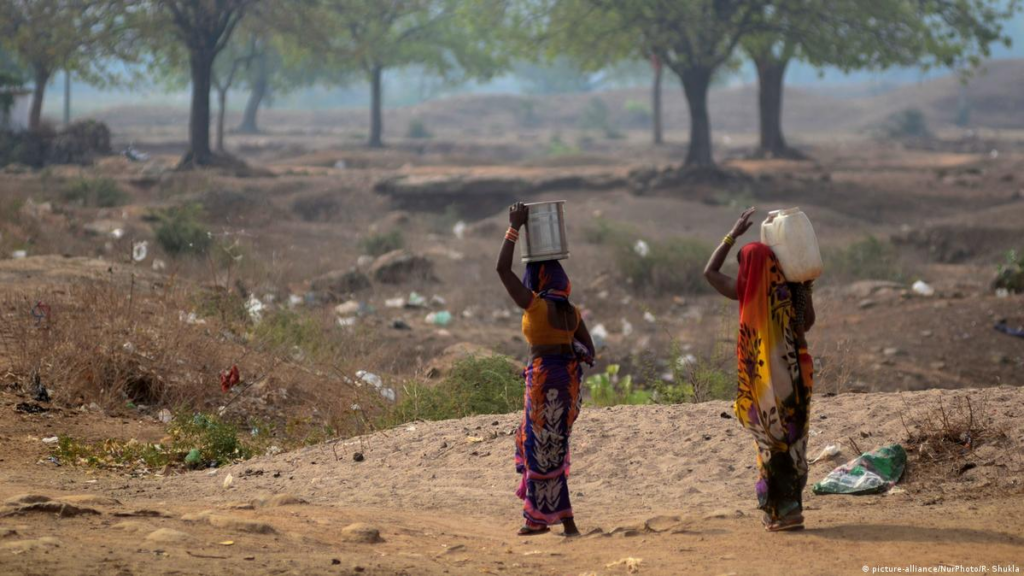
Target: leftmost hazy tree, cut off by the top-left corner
column 48, row 36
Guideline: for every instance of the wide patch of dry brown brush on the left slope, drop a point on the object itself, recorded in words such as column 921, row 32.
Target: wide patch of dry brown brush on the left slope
column 123, row 344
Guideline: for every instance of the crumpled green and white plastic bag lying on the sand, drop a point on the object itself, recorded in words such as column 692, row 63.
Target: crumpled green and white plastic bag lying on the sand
column 871, row 473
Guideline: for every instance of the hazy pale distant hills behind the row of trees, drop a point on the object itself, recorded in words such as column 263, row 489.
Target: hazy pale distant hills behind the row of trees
column 994, row 96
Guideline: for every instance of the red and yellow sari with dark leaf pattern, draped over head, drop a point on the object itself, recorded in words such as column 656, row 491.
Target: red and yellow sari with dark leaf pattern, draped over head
column 776, row 382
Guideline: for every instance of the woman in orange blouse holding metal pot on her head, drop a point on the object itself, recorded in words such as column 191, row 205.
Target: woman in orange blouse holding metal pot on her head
column 560, row 345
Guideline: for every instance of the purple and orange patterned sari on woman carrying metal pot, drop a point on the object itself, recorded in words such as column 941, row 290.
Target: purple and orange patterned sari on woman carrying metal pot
column 552, row 402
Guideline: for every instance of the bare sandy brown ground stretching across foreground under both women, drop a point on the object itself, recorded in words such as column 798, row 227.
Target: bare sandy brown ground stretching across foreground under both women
column 671, row 486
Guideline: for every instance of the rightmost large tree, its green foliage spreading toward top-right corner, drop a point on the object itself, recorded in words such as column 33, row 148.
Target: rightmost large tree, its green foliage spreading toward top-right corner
column 859, row 34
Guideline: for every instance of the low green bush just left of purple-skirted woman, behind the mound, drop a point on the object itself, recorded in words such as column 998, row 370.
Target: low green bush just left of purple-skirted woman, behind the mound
column 476, row 386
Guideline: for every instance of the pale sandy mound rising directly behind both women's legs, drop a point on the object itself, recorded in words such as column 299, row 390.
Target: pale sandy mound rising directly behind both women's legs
column 647, row 460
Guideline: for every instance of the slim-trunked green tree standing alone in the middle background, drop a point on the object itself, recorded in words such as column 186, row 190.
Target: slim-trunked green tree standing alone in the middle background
column 445, row 37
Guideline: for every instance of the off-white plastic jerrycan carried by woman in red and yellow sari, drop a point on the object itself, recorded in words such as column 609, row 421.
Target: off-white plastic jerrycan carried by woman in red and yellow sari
column 790, row 235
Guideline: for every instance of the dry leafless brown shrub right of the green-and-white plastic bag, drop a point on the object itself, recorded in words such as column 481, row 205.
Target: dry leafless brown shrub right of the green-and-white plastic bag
column 942, row 439
